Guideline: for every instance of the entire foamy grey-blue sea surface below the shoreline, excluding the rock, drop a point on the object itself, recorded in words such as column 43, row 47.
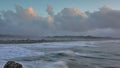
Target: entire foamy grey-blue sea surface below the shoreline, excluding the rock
column 77, row 54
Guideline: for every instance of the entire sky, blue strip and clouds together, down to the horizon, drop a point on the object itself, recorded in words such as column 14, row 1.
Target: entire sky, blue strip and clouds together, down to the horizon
column 60, row 17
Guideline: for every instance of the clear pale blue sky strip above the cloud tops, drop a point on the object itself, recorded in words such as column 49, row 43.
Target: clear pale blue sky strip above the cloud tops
column 40, row 5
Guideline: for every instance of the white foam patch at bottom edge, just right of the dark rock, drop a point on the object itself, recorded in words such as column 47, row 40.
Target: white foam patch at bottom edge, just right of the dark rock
column 44, row 64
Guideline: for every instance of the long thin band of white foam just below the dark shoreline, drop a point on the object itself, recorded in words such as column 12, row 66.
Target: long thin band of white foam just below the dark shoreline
column 59, row 44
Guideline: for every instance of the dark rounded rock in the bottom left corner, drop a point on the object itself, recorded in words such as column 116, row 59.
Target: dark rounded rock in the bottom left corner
column 12, row 64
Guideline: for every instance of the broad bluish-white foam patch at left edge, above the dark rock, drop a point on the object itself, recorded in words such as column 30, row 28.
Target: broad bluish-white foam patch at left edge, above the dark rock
column 14, row 51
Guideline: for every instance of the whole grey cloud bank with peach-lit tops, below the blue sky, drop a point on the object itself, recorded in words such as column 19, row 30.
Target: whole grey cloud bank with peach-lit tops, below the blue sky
column 69, row 21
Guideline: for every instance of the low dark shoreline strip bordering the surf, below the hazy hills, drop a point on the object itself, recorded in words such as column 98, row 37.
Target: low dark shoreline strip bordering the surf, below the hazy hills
column 26, row 41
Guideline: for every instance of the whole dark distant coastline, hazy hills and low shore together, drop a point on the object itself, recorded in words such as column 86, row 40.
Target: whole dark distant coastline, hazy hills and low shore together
column 21, row 39
